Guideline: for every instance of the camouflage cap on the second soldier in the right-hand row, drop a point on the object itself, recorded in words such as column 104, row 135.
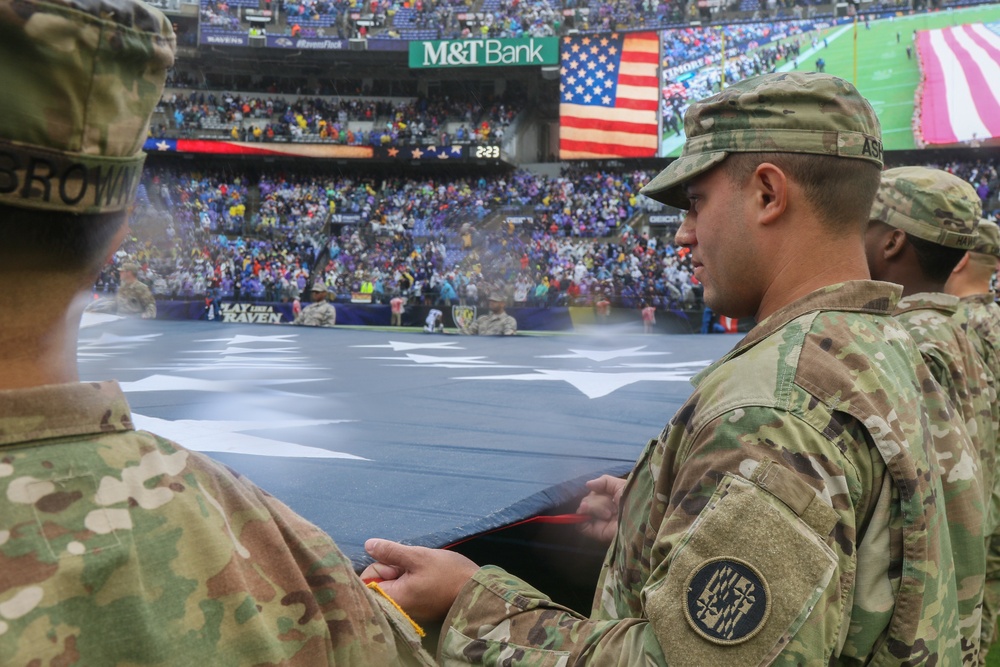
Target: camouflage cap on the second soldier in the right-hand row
column 930, row 204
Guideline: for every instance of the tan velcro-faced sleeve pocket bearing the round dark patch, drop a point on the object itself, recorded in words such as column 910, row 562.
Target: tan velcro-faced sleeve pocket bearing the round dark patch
column 743, row 580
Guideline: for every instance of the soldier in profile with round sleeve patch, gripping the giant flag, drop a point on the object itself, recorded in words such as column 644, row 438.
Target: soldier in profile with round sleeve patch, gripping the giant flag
column 789, row 513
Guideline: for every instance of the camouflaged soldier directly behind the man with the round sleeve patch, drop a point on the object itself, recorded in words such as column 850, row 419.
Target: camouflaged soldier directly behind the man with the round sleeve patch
column 921, row 224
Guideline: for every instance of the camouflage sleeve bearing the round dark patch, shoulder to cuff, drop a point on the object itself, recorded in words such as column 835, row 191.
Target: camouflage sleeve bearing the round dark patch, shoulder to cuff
column 698, row 572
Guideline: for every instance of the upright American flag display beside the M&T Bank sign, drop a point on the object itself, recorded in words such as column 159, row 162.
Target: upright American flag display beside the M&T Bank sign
column 608, row 95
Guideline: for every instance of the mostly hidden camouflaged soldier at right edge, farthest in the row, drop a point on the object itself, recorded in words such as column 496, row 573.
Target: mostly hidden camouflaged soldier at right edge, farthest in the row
column 970, row 280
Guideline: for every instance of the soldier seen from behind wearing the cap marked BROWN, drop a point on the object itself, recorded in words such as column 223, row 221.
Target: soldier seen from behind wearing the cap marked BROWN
column 117, row 546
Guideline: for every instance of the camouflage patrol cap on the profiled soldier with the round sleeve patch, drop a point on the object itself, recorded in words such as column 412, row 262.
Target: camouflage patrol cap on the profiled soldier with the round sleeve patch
column 790, row 112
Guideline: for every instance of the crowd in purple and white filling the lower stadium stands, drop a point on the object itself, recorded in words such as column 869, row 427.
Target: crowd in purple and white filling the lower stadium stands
column 545, row 241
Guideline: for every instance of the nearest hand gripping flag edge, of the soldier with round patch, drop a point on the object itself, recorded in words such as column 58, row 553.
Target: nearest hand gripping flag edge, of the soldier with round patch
column 424, row 582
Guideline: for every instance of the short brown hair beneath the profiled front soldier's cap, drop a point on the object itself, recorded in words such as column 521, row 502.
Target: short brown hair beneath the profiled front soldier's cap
column 841, row 190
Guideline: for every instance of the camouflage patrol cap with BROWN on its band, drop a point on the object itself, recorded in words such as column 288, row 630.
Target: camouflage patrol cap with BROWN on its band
column 80, row 79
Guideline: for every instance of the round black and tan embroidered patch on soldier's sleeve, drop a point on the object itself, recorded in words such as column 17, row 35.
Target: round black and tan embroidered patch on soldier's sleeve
column 728, row 601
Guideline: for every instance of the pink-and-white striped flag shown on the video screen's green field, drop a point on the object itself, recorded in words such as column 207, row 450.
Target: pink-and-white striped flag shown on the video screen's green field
column 961, row 88
